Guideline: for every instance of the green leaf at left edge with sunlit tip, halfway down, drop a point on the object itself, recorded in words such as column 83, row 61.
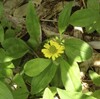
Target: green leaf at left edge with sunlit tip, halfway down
column 4, row 57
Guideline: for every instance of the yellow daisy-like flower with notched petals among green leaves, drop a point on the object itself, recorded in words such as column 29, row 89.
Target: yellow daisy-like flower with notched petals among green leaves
column 53, row 49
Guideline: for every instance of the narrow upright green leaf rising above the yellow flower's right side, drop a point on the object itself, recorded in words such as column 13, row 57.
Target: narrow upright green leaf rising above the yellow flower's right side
column 63, row 20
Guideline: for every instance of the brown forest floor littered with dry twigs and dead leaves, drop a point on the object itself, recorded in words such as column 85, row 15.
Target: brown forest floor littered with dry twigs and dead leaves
column 48, row 11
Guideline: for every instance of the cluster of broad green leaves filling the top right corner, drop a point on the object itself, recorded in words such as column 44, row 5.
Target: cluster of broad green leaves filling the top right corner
column 88, row 17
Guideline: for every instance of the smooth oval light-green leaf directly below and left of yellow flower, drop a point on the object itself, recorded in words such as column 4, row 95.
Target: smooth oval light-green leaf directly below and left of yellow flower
column 36, row 66
